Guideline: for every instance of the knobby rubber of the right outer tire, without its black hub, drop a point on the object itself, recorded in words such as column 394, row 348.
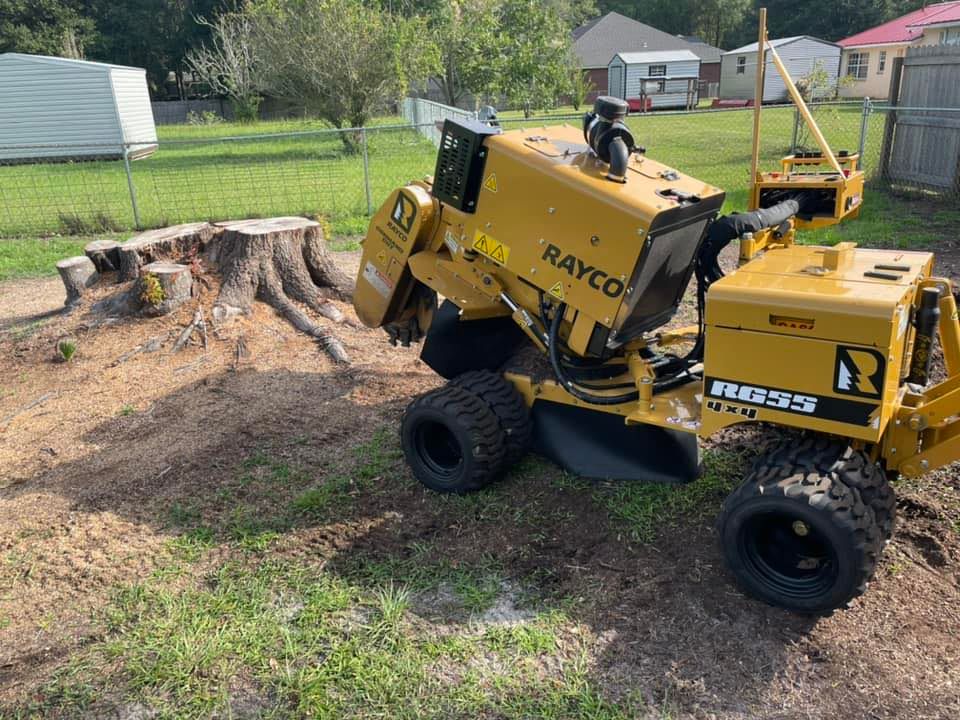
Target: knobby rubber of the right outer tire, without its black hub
column 804, row 477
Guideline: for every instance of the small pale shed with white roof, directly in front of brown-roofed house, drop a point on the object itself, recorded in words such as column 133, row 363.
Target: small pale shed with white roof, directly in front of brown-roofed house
column 663, row 77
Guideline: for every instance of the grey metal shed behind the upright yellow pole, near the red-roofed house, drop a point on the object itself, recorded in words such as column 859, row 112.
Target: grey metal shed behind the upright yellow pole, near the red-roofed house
column 800, row 54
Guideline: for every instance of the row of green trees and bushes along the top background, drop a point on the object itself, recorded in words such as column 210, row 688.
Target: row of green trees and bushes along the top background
column 346, row 59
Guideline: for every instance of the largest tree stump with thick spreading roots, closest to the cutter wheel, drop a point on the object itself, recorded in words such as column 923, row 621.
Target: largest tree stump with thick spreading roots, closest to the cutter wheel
column 281, row 261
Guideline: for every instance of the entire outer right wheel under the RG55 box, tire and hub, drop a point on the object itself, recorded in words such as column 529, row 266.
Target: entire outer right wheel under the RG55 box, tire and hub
column 795, row 535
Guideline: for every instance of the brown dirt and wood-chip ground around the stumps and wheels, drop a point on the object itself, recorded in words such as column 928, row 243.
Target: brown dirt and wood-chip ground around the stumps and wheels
column 89, row 474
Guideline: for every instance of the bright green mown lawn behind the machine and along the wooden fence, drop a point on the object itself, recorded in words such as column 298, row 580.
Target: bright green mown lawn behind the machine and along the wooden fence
column 230, row 170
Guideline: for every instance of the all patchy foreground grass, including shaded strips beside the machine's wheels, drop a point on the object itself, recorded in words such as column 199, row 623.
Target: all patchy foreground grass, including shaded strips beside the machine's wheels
column 226, row 627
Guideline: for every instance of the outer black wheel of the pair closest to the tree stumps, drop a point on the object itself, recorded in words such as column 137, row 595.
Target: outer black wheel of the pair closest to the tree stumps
column 452, row 441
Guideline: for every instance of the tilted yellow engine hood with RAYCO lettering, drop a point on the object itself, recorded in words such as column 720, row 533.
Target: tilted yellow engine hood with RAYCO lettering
column 547, row 213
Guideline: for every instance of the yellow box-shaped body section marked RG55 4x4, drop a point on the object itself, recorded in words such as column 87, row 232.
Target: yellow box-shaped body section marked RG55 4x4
column 808, row 337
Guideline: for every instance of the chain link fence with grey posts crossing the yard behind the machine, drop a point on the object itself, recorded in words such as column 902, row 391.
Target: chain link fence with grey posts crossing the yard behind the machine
column 229, row 171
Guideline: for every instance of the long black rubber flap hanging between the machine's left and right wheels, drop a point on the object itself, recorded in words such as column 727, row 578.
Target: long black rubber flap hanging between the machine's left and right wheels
column 599, row 445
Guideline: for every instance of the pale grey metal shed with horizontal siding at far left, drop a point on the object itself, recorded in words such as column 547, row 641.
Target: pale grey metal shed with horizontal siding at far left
column 60, row 109
